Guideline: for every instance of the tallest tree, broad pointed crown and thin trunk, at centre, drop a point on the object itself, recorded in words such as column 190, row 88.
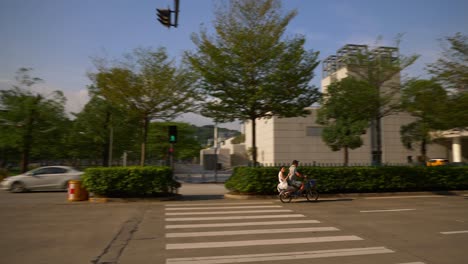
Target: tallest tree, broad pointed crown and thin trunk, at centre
column 249, row 70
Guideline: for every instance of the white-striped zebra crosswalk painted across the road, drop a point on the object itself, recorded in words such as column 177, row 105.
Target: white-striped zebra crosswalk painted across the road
column 255, row 232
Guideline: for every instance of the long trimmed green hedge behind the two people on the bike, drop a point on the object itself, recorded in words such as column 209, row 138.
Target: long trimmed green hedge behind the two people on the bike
column 263, row 180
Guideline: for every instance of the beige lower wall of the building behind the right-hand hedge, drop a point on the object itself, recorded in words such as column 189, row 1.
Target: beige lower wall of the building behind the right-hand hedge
column 281, row 140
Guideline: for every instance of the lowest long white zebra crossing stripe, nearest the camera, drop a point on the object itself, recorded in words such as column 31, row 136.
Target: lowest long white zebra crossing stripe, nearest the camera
column 281, row 256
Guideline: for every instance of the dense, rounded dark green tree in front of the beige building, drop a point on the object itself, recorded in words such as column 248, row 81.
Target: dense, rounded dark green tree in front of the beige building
column 346, row 111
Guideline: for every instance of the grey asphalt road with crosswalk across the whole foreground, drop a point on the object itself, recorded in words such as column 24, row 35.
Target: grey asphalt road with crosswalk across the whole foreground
column 204, row 228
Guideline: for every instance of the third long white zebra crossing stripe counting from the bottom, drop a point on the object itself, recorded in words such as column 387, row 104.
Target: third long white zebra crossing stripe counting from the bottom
column 252, row 232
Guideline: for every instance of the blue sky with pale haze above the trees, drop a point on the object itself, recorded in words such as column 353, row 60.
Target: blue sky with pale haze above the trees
column 59, row 38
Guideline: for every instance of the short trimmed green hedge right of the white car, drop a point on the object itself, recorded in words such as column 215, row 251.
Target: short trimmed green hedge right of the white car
column 129, row 181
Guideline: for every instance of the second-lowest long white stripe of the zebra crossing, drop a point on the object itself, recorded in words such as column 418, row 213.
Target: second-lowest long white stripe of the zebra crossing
column 246, row 243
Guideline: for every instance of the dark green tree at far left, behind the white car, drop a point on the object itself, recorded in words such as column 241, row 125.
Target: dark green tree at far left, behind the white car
column 29, row 119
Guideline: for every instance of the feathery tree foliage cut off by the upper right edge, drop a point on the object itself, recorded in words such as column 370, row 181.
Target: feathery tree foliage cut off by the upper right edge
column 452, row 68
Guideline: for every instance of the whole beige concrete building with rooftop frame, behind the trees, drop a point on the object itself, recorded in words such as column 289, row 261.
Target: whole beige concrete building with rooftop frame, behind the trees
column 281, row 140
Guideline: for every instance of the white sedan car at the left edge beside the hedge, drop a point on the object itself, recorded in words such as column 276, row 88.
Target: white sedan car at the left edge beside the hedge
column 51, row 178
